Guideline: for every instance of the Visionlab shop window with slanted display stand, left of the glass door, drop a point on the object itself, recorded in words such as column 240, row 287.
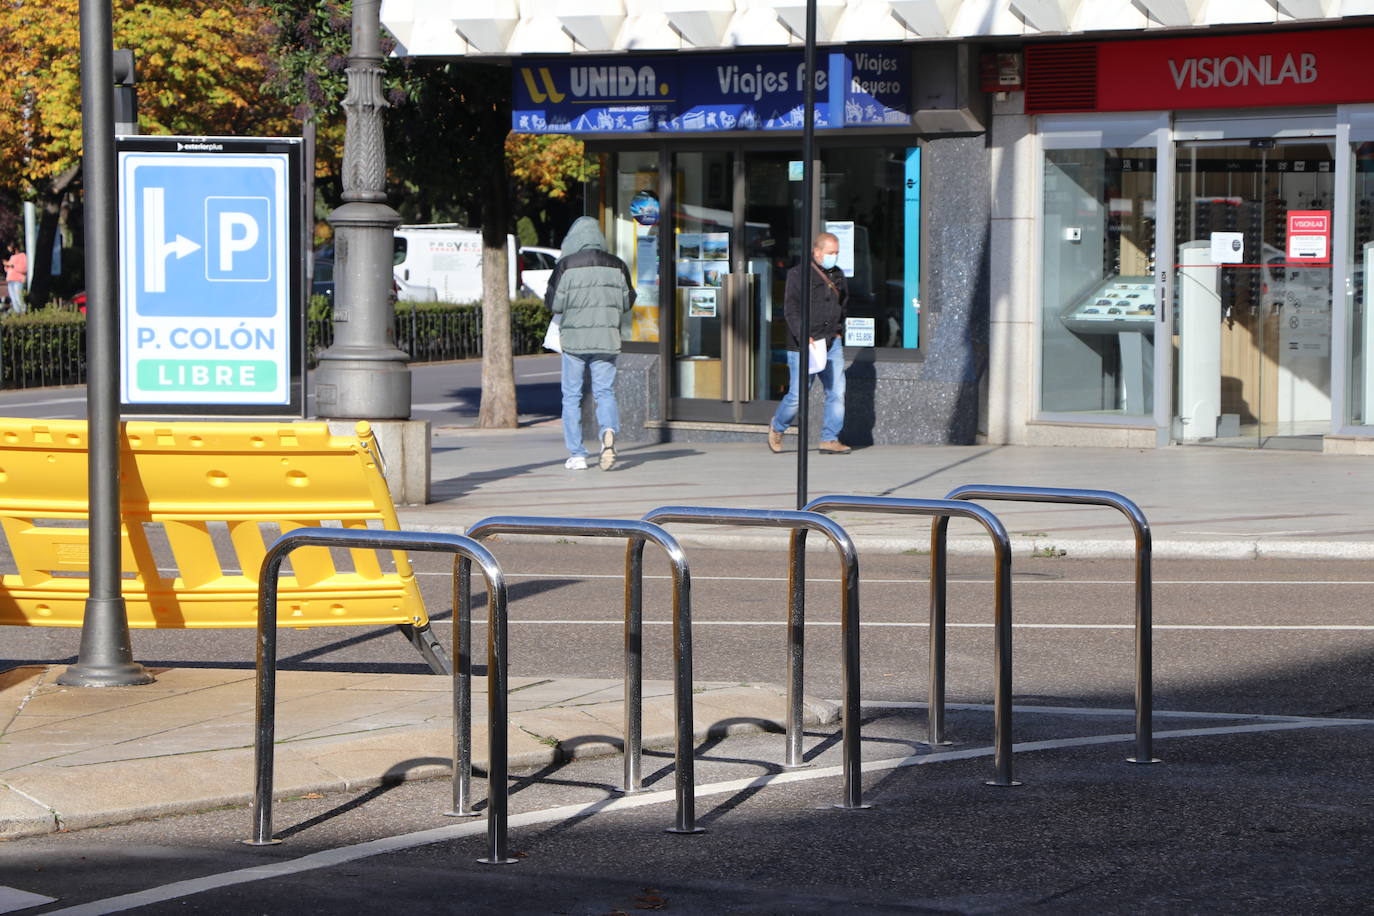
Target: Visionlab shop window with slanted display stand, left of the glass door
column 1099, row 310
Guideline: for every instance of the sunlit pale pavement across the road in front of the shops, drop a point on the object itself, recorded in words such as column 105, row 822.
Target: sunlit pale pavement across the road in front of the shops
column 1202, row 502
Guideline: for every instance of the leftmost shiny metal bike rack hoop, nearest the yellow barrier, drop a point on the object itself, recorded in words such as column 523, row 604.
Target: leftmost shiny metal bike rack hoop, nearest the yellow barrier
column 466, row 549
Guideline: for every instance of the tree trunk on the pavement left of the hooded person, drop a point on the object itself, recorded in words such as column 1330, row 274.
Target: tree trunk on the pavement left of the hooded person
column 498, row 409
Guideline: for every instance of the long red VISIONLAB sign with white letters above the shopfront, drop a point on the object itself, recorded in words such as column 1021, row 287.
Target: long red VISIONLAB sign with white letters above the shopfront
column 1236, row 72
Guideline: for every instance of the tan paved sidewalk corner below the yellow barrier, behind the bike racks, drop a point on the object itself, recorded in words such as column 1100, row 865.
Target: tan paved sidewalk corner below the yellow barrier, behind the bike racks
column 85, row 757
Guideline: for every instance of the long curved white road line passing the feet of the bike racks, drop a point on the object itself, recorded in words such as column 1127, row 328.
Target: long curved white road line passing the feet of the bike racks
column 332, row 858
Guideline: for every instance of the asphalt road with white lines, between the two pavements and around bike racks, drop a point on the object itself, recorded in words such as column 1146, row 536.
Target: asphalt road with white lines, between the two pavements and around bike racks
column 1265, row 726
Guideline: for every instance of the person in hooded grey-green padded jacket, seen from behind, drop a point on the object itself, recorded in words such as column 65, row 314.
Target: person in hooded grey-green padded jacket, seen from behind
column 590, row 289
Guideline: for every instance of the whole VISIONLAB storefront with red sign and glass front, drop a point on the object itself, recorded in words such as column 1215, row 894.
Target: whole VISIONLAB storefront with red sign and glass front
column 1188, row 233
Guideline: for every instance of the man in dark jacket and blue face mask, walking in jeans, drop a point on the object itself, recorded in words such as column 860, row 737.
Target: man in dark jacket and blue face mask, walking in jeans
column 829, row 296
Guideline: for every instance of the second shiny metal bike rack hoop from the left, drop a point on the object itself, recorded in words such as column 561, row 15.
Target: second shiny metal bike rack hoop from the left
column 637, row 535
